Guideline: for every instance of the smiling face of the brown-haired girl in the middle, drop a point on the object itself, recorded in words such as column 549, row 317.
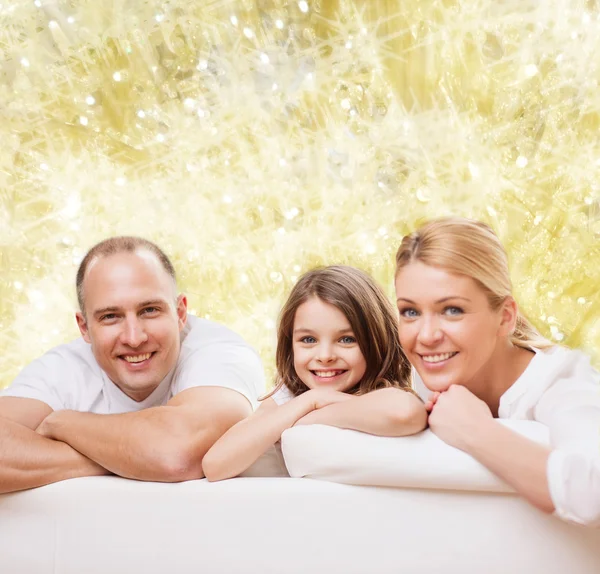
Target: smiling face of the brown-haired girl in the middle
column 326, row 353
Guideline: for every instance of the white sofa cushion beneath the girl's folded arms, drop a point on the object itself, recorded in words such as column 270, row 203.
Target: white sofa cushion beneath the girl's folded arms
column 419, row 461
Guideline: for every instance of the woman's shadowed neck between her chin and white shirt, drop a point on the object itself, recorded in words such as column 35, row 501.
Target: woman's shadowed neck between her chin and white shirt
column 500, row 373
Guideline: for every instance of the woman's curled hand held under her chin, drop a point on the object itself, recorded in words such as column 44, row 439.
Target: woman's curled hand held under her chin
column 457, row 416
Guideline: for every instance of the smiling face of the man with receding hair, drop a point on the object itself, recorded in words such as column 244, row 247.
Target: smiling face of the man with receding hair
column 133, row 320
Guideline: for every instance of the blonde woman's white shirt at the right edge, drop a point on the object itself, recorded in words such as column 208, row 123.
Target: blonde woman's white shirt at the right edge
column 561, row 389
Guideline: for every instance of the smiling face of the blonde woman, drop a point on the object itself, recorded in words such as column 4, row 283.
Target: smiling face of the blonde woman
column 447, row 328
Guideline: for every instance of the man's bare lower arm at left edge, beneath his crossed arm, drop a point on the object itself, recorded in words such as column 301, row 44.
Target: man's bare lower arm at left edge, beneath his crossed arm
column 28, row 460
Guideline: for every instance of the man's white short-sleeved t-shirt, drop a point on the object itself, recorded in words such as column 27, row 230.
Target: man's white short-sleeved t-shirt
column 68, row 376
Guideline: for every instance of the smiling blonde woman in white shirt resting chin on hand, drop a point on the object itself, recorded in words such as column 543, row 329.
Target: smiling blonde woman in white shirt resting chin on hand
column 480, row 358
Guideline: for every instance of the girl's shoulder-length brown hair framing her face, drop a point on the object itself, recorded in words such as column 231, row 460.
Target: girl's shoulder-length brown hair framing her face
column 371, row 317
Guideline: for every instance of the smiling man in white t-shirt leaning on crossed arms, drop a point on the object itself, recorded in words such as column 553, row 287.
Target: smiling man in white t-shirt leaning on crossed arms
column 143, row 394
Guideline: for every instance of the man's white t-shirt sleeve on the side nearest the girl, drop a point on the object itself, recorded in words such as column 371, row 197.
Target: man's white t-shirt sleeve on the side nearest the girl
column 233, row 366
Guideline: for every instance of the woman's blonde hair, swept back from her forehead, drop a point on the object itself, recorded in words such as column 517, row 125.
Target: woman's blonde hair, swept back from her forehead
column 468, row 247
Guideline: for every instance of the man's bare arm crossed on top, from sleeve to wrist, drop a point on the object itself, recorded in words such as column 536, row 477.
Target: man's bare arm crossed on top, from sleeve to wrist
column 164, row 444
